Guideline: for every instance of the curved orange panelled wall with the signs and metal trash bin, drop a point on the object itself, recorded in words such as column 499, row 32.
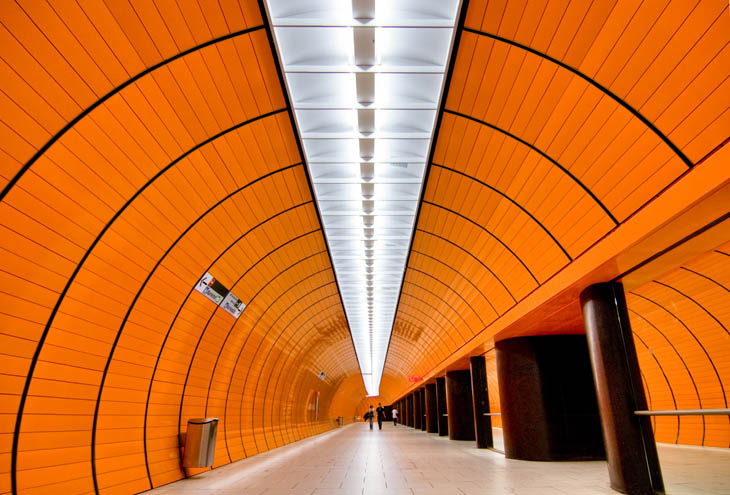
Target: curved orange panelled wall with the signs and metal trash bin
column 144, row 148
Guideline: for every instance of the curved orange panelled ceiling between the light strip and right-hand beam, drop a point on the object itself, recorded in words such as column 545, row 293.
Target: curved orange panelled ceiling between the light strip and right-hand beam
column 560, row 121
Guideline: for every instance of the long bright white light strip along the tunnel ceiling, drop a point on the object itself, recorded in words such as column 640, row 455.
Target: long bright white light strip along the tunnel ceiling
column 365, row 79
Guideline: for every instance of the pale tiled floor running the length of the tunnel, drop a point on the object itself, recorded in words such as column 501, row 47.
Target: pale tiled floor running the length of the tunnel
column 402, row 461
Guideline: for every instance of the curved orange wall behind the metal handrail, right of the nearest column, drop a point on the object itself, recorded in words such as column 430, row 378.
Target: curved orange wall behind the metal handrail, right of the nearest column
column 681, row 323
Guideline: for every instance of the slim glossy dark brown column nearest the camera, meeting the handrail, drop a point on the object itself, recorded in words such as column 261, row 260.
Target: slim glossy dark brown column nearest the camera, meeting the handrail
column 633, row 464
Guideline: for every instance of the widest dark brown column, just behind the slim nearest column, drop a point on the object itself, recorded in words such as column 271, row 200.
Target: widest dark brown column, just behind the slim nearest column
column 549, row 409
